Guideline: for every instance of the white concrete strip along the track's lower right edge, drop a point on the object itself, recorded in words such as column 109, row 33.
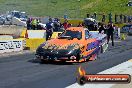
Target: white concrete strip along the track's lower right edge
column 123, row 68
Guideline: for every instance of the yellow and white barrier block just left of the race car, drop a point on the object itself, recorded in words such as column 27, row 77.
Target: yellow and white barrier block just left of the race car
column 35, row 38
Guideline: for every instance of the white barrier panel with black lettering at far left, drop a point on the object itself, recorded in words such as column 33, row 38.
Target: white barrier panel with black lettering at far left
column 11, row 45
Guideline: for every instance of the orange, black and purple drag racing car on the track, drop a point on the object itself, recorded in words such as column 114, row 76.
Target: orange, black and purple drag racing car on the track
column 75, row 44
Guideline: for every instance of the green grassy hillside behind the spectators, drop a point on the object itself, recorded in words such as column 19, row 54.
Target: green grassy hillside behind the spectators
column 73, row 8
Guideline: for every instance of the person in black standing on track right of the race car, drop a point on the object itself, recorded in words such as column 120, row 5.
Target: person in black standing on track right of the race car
column 110, row 31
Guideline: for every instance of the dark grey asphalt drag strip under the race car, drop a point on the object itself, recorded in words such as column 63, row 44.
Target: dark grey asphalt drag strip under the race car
column 22, row 71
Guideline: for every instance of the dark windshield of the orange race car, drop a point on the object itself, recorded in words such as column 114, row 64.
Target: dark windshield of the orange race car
column 70, row 34
